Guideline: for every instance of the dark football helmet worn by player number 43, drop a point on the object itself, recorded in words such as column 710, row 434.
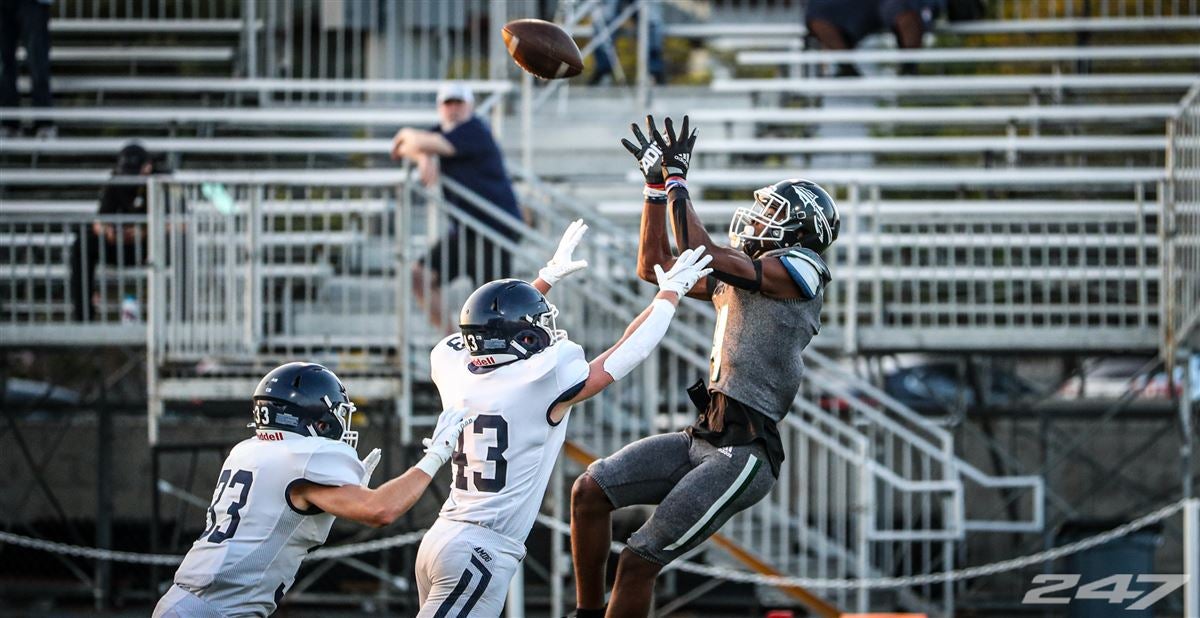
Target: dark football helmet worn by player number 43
column 506, row 321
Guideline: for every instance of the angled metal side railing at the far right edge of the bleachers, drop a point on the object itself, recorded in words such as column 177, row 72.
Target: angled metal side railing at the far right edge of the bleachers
column 1181, row 230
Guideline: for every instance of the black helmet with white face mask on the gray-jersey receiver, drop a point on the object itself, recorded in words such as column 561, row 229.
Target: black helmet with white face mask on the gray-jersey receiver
column 787, row 214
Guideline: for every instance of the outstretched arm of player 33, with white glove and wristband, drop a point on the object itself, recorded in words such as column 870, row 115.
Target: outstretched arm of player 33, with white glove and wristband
column 383, row 506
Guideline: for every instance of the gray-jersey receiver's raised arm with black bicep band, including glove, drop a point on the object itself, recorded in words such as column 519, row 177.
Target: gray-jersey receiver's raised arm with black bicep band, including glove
column 730, row 266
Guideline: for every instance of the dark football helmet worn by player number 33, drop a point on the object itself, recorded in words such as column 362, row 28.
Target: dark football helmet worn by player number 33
column 305, row 399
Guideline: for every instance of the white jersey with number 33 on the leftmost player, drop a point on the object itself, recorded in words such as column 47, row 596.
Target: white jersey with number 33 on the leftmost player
column 249, row 555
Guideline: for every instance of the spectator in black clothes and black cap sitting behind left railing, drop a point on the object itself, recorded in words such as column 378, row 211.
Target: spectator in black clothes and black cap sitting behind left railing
column 116, row 244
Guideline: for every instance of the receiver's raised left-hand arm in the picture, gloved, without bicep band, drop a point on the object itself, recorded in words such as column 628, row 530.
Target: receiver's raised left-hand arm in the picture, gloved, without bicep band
column 653, row 248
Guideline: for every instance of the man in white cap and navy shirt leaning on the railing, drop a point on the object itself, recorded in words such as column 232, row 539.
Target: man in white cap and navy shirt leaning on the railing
column 464, row 149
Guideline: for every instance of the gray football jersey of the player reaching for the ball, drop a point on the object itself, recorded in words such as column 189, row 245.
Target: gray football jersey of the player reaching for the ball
column 758, row 340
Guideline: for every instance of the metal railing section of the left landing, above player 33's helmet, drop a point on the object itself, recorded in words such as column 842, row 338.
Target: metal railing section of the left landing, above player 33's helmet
column 251, row 269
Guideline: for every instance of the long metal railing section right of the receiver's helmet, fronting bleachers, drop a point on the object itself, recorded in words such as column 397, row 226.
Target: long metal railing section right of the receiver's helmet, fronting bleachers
column 959, row 275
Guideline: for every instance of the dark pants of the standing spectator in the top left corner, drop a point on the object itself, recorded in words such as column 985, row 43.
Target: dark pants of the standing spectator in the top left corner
column 27, row 21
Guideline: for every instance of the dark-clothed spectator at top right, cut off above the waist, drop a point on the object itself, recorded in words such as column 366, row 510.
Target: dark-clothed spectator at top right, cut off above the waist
column 843, row 25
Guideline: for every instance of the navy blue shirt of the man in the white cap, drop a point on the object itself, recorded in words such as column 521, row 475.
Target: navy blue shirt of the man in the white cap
column 478, row 165
